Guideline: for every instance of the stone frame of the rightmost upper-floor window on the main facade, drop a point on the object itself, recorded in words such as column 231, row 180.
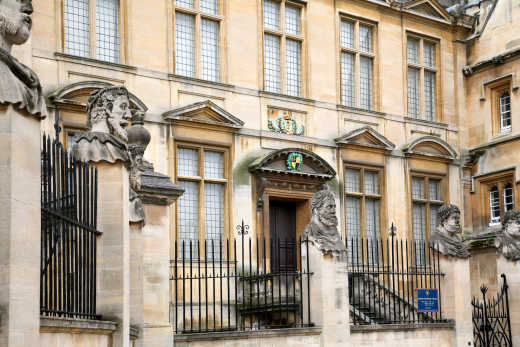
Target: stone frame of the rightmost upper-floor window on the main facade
column 422, row 67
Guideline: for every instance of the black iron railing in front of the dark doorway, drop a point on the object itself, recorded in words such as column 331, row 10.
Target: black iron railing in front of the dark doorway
column 231, row 285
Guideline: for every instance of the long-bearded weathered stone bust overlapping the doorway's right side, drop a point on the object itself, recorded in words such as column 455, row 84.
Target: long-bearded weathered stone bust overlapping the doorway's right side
column 322, row 229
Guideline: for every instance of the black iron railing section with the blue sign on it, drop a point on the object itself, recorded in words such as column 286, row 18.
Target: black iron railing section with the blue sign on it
column 384, row 279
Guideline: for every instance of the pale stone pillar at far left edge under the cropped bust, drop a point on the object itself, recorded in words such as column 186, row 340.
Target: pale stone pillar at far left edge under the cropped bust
column 19, row 228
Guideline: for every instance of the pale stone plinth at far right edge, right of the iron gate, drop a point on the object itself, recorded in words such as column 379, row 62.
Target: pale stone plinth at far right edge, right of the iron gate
column 512, row 271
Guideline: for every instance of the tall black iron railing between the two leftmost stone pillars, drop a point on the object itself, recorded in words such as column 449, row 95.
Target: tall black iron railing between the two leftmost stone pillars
column 68, row 234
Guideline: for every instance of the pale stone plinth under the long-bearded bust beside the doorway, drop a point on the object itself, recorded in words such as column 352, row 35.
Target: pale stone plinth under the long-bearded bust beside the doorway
column 328, row 295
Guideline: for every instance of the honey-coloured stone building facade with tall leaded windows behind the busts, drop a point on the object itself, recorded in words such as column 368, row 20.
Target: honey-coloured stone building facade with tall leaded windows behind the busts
column 254, row 105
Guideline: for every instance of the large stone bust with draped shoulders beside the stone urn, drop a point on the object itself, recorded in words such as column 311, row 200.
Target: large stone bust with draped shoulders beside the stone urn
column 108, row 113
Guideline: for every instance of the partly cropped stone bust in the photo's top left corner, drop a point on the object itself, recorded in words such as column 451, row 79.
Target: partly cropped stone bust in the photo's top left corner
column 20, row 86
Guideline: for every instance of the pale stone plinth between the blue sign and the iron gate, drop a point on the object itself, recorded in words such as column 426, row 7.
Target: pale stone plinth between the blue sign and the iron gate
column 456, row 297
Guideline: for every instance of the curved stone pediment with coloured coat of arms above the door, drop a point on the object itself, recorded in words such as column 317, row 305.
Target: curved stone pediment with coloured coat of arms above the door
column 293, row 162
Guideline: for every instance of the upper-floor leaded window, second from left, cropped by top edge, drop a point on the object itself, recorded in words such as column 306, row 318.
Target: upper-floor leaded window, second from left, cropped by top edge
column 197, row 39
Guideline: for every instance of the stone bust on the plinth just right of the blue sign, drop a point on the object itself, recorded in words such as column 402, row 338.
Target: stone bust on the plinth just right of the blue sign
column 447, row 237
